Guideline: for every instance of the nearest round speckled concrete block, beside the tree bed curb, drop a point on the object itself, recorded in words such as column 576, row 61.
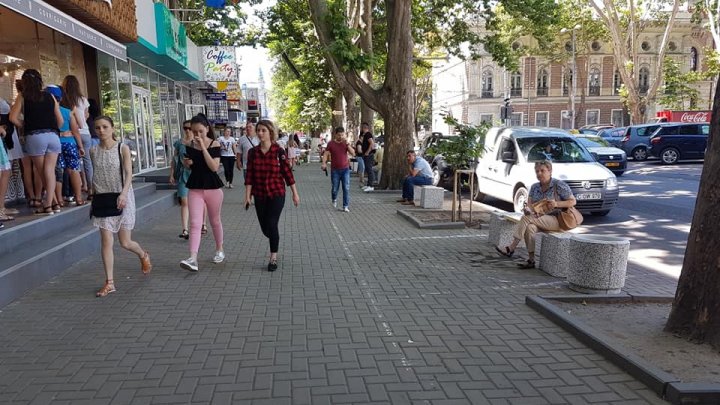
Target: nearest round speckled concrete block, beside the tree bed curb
column 597, row 263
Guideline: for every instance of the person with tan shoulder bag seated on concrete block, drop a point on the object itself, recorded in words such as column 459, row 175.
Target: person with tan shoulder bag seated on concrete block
column 543, row 207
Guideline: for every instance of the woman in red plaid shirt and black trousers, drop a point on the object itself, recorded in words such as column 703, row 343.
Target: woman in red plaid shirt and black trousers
column 267, row 173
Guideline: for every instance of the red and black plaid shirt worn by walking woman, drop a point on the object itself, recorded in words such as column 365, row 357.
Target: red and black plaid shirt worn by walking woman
column 268, row 173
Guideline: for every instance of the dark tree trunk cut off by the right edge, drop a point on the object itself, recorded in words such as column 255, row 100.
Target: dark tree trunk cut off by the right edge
column 696, row 310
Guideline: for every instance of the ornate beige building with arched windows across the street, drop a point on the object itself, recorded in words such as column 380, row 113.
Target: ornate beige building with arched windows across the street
column 540, row 91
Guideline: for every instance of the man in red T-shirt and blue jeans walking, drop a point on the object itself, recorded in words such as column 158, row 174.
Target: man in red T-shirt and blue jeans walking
column 337, row 151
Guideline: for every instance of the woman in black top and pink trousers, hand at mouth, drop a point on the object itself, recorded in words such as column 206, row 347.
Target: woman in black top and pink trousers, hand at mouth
column 203, row 157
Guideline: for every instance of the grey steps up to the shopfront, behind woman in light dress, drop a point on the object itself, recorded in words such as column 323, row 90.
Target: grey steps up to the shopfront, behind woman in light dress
column 35, row 251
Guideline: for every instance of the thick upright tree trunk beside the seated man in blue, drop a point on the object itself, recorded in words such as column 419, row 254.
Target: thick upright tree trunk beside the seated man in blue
column 398, row 91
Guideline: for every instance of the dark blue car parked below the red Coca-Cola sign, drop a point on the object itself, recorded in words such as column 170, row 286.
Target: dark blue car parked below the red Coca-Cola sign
column 674, row 142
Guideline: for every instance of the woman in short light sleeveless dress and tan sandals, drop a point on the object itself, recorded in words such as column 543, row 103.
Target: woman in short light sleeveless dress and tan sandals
column 110, row 158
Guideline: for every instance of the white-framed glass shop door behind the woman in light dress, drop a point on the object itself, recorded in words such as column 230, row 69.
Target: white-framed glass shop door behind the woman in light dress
column 144, row 158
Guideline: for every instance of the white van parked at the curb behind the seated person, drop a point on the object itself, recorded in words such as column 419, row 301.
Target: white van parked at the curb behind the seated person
column 507, row 168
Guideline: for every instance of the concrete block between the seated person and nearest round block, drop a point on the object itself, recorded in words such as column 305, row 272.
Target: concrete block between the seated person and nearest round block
column 552, row 253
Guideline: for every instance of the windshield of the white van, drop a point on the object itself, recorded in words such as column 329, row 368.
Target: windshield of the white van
column 558, row 150
